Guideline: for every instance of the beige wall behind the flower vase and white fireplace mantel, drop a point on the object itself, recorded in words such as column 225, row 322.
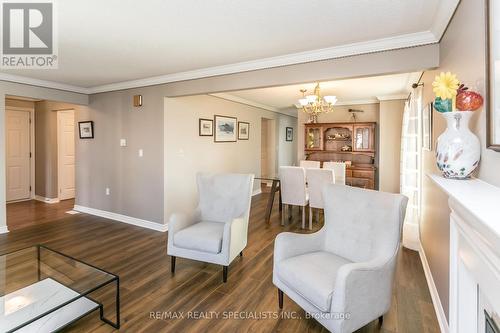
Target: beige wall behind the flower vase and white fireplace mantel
column 462, row 52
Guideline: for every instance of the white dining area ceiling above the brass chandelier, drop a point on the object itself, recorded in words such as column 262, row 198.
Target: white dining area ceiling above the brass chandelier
column 348, row 92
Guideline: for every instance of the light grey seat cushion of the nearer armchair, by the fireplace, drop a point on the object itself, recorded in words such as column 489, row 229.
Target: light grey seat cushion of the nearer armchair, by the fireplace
column 312, row 276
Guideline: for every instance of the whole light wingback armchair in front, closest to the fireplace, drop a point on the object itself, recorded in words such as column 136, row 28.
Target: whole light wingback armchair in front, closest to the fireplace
column 343, row 274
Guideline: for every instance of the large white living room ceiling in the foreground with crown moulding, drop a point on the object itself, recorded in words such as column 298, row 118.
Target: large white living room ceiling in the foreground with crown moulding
column 106, row 42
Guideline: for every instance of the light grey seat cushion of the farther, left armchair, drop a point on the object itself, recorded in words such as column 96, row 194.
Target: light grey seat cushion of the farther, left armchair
column 202, row 236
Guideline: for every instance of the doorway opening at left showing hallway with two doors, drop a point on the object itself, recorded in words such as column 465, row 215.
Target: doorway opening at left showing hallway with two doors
column 40, row 160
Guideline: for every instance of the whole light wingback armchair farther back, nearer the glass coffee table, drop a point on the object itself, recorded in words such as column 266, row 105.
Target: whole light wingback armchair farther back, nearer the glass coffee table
column 217, row 230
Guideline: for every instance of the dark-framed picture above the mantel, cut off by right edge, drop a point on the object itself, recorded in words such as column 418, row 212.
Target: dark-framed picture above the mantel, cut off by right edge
column 492, row 104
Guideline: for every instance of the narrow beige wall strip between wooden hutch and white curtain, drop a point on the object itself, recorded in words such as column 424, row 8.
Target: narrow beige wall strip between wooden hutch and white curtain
column 390, row 124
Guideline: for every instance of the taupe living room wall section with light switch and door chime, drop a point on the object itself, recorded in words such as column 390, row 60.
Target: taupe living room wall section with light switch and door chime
column 135, row 183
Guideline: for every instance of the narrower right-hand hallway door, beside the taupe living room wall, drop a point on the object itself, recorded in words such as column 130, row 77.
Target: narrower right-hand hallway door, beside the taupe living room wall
column 66, row 153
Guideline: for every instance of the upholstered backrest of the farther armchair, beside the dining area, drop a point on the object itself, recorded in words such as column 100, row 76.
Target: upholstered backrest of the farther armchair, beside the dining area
column 224, row 197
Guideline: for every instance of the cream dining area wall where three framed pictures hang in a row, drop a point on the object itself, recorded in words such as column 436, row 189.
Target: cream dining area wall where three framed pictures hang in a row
column 186, row 153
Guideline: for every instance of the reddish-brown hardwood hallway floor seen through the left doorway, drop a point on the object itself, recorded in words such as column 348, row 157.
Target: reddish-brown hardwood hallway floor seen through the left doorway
column 32, row 212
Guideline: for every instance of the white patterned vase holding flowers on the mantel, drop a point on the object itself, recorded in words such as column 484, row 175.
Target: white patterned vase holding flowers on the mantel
column 458, row 150
